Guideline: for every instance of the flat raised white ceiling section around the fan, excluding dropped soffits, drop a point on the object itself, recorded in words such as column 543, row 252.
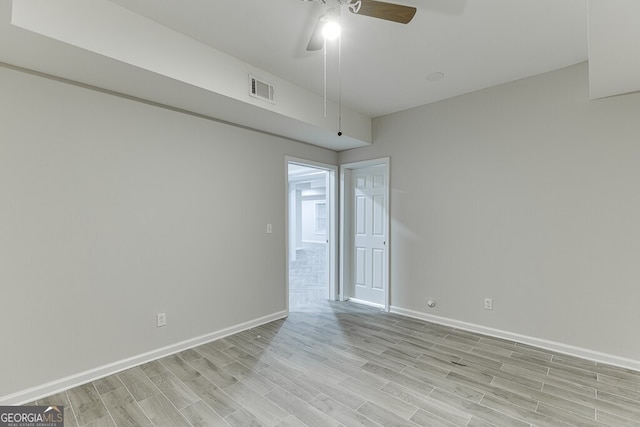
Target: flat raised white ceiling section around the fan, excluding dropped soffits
column 475, row 43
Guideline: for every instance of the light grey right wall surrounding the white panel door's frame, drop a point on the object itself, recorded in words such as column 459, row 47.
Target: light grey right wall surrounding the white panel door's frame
column 527, row 193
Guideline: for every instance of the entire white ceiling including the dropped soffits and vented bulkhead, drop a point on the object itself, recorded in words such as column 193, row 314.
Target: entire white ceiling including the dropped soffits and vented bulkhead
column 194, row 55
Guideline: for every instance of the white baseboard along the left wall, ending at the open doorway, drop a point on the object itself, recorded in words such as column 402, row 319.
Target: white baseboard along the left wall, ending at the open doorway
column 38, row 392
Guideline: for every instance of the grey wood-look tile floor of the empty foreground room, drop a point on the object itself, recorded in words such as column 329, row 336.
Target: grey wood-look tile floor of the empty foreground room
column 344, row 364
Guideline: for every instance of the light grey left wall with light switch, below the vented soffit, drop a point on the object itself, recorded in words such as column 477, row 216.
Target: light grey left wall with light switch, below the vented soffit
column 114, row 210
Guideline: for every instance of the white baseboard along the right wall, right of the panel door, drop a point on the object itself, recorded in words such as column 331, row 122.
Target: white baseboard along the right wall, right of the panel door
column 570, row 350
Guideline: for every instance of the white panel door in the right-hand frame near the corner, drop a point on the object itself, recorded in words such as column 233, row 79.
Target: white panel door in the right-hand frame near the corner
column 369, row 256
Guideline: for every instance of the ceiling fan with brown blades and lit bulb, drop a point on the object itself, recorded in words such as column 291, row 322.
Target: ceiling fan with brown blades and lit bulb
column 373, row 8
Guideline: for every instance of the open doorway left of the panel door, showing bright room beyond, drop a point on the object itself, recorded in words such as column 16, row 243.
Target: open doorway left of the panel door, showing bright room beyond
column 311, row 235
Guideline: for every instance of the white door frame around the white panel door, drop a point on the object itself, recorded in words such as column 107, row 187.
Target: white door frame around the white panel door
column 346, row 226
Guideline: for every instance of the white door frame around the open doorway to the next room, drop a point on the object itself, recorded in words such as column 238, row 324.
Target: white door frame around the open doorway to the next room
column 332, row 223
